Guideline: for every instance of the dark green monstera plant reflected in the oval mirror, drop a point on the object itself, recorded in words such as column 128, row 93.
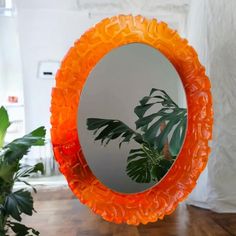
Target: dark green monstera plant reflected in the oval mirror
column 160, row 136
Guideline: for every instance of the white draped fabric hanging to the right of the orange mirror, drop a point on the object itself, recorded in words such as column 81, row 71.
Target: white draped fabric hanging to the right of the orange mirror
column 212, row 32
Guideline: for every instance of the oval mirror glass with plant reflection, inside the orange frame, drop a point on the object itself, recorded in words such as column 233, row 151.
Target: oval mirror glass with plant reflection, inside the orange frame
column 132, row 118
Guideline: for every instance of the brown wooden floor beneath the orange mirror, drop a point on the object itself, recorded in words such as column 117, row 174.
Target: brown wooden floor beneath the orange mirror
column 59, row 214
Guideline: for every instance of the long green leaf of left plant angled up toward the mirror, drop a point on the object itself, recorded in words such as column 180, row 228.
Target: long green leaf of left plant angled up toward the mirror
column 20, row 147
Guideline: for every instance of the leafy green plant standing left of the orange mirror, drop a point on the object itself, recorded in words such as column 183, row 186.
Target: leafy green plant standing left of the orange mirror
column 14, row 203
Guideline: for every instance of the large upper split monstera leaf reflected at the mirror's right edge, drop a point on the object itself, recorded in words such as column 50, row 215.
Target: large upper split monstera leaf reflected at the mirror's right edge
column 171, row 115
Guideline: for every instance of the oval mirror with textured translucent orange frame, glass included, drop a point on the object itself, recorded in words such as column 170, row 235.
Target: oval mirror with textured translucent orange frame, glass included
column 131, row 119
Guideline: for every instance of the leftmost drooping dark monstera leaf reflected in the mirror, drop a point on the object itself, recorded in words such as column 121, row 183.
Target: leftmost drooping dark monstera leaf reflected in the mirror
column 106, row 130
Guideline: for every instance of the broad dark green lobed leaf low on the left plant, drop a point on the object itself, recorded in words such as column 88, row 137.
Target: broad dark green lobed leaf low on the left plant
column 19, row 202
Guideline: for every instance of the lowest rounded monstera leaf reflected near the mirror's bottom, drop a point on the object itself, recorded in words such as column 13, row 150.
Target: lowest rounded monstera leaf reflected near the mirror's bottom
column 146, row 165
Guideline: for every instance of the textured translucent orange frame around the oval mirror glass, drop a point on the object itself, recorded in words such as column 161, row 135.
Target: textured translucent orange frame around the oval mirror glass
column 163, row 198
